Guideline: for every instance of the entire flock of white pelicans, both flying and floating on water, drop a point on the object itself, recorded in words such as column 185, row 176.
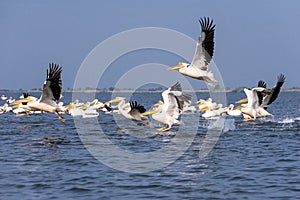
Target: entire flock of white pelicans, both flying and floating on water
column 167, row 111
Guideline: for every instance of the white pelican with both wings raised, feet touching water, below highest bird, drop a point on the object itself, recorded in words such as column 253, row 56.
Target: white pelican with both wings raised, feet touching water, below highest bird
column 169, row 112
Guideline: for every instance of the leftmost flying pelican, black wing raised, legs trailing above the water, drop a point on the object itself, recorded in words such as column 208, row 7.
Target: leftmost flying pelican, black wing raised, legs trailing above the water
column 51, row 93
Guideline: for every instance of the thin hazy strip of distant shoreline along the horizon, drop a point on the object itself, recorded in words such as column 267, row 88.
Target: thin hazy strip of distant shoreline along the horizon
column 138, row 91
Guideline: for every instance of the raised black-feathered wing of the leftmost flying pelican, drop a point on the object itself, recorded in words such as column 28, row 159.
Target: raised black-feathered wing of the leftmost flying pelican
column 53, row 85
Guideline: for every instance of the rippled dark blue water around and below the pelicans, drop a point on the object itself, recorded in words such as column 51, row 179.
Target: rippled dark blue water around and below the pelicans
column 42, row 158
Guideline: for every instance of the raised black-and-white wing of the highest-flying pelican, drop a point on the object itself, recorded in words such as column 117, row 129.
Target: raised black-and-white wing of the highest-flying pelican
column 205, row 45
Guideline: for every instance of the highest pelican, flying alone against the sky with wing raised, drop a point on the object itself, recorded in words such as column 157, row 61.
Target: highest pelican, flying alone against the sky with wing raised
column 198, row 69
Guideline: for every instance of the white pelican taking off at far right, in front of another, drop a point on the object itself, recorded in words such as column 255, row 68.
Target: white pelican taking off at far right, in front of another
column 253, row 109
